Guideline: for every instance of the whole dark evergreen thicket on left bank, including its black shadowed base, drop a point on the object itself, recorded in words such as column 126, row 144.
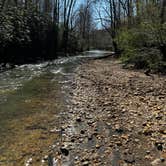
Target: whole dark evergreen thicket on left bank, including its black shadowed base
column 24, row 32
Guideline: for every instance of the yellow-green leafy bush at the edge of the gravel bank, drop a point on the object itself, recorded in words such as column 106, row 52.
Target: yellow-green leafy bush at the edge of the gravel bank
column 142, row 46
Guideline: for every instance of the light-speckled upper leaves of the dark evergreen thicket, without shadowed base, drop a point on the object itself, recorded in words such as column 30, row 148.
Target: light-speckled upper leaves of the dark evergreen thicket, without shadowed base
column 18, row 25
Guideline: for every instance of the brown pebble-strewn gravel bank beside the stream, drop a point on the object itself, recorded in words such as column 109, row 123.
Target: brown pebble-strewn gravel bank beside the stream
column 117, row 117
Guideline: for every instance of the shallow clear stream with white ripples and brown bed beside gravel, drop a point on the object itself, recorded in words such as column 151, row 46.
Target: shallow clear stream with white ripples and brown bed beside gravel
column 32, row 97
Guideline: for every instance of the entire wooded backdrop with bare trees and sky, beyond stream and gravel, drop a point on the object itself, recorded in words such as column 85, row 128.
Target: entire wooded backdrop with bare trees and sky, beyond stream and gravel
column 35, row 30
